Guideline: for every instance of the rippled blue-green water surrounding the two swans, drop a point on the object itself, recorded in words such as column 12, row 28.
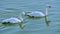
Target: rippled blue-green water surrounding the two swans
column 12, row 8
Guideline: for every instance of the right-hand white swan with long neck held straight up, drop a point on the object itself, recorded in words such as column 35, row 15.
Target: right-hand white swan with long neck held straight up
column 37, row 13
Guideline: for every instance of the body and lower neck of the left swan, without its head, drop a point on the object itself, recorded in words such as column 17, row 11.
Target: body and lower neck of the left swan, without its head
column 13, row 20
